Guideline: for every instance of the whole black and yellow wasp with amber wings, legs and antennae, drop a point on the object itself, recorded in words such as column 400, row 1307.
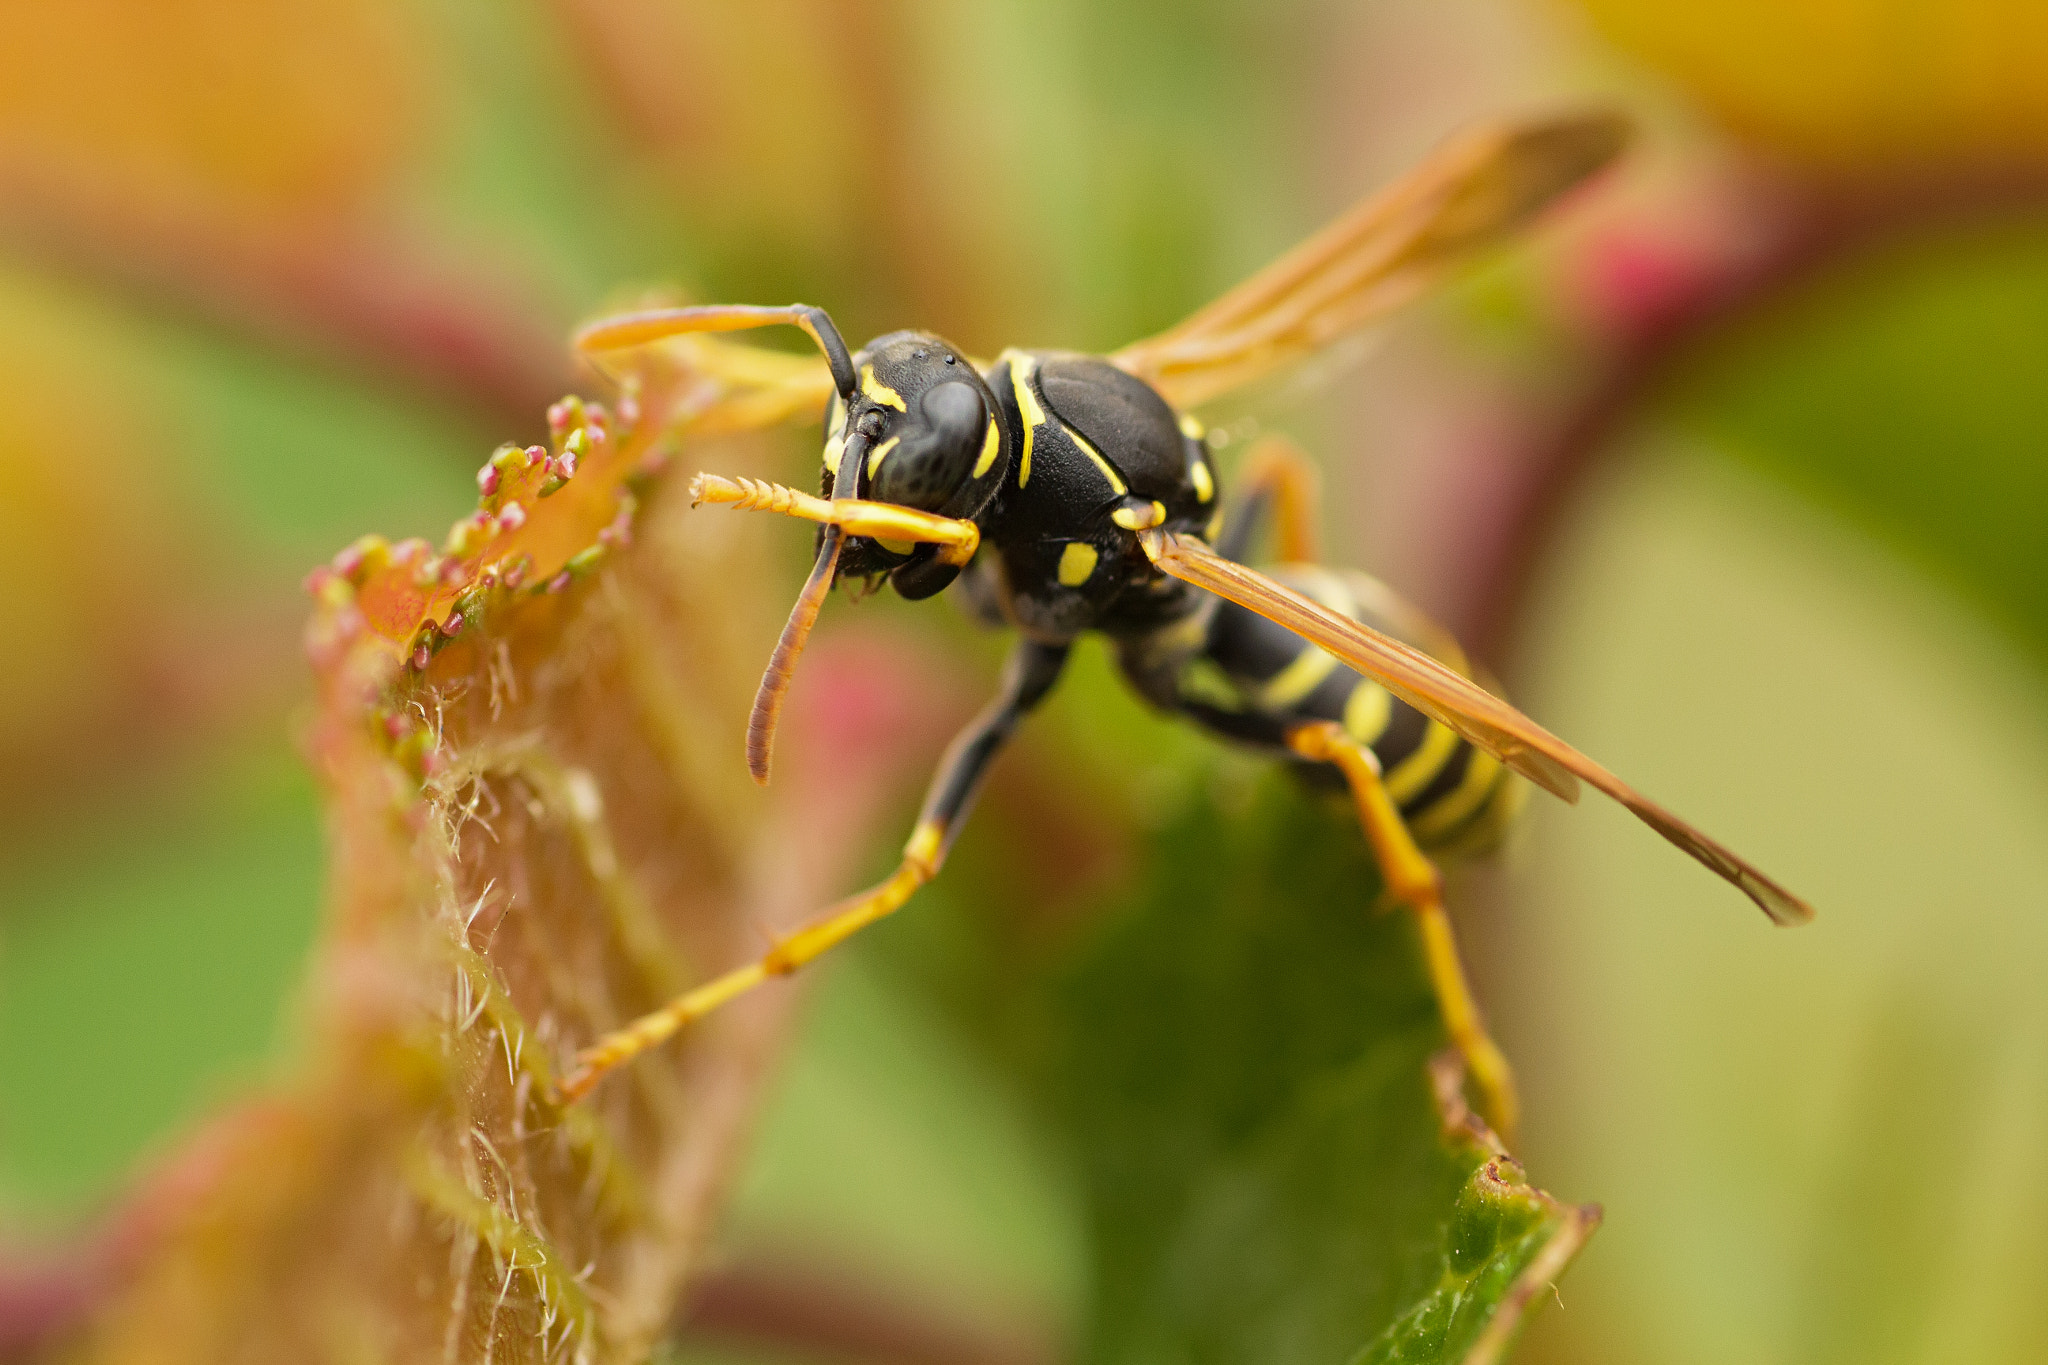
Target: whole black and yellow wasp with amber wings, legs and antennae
column 1066, row 492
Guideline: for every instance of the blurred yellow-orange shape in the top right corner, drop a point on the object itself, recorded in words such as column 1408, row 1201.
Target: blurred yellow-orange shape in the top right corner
column 1852, row 87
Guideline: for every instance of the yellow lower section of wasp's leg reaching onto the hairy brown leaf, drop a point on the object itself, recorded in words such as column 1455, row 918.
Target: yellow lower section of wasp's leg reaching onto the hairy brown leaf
column 921, row 865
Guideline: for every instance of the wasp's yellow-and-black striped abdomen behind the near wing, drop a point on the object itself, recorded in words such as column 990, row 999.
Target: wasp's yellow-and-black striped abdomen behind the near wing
column 1256, row 680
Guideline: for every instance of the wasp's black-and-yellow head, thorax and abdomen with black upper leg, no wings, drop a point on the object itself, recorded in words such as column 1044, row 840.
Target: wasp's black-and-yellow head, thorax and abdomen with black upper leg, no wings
column 1060, row 468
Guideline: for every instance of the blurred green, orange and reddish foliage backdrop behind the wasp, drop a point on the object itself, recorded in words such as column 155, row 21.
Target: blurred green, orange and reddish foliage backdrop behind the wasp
column 273, row 279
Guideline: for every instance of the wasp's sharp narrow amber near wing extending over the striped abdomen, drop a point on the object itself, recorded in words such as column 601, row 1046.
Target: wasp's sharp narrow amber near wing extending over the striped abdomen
column 1459, row 703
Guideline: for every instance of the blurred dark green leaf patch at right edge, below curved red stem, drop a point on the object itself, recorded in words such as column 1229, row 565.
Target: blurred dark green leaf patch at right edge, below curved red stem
column 1906, row 390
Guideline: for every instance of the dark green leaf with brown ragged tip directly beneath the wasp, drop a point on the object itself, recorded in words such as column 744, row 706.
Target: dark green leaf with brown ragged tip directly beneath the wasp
column 1248, row 1071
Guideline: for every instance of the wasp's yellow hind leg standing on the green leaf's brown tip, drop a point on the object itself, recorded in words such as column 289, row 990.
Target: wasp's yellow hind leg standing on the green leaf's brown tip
column 1412, row 879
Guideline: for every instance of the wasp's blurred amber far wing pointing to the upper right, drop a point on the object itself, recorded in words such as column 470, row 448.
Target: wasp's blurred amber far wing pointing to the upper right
column 1471, row 193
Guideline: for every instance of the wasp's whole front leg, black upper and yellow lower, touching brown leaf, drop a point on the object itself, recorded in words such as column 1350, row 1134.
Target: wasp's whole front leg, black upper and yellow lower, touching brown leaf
column 1027, row 680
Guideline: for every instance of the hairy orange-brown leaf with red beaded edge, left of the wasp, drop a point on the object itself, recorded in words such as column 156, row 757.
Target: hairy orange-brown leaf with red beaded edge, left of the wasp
column 536, row 834
